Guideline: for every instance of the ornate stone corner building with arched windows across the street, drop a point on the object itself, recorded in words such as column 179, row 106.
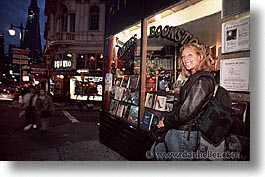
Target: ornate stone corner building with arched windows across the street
column 74, row 33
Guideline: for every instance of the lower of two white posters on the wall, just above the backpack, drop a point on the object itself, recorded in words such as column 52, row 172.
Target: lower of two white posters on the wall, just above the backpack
column 234, row 74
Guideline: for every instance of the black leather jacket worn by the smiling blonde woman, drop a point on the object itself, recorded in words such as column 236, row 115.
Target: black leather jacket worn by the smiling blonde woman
column 194, row 95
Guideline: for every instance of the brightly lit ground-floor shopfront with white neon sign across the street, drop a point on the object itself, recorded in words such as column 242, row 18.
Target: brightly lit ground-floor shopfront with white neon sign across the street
column 70, row 69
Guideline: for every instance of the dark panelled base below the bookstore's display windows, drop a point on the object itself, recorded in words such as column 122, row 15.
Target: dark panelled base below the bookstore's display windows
column 129, row 141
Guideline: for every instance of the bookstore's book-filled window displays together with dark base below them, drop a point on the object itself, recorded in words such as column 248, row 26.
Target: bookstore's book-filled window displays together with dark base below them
column 137, row 99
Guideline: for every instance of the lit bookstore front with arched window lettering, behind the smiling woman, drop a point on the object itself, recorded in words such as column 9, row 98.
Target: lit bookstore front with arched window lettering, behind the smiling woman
column 143, row 62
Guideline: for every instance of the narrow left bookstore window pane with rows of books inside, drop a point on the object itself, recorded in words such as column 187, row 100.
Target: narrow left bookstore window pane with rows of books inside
column 124, row 98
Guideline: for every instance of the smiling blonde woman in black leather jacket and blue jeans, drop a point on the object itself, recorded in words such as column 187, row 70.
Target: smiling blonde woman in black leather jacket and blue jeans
column 183, row 135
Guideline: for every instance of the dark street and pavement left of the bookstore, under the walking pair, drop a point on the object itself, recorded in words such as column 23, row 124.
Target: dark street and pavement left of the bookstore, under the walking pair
column 65, row 140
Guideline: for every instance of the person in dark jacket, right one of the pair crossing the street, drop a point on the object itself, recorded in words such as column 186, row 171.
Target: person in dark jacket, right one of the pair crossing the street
column 44, row 110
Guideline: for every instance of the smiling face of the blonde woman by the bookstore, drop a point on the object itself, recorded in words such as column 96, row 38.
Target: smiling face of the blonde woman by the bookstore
column 190, row 59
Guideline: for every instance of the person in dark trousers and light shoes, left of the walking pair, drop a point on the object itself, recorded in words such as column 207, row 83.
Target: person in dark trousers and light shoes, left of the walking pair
column 29, row 100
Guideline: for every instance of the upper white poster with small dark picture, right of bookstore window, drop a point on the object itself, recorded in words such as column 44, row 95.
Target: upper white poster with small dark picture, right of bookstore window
column 235, row 36
